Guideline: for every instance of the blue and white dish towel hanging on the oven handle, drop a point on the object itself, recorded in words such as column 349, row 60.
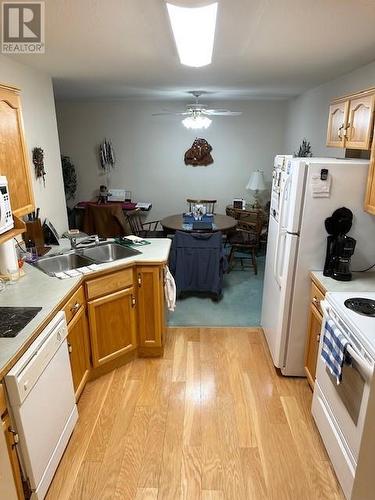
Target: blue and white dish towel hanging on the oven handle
column 333, row 349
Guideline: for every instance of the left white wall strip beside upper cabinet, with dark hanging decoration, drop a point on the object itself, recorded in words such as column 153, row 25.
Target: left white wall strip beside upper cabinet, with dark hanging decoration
column 41, row 130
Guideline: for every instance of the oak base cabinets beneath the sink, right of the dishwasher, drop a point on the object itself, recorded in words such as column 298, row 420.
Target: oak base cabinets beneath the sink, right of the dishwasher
column 113, row 318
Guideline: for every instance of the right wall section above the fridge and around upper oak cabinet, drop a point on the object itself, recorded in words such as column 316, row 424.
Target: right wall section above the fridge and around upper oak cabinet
column 308, row 113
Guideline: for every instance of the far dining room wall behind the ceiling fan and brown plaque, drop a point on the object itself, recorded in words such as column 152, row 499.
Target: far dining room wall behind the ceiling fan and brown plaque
column 150, row 150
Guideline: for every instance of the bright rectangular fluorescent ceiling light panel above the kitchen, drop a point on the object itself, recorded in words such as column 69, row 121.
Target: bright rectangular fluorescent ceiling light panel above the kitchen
column 194, row 33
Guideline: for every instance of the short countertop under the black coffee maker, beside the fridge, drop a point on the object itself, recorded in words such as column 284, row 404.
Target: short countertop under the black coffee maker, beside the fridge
column 361, row 282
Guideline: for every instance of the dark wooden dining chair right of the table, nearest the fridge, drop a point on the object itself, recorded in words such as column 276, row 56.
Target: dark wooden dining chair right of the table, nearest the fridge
column 246, row 238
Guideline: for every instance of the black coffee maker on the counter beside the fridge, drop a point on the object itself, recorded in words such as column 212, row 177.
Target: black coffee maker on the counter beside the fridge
column 340, row 247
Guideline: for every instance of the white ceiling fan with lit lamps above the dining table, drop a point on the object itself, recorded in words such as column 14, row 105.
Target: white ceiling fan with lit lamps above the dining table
column 197, row 114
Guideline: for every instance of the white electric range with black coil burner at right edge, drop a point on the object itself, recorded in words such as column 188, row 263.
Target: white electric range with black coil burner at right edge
column 345, row 413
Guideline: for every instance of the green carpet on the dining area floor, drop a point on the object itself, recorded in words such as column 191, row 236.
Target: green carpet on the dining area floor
column 240, row 306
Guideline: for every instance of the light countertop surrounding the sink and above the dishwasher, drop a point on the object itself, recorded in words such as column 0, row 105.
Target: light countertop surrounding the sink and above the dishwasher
column 40, row 290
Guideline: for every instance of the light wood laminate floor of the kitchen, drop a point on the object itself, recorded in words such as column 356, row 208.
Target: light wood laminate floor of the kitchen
column 210, row 420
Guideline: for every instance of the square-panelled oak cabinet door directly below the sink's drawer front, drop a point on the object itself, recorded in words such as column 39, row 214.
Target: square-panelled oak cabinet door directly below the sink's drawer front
column 112, row 322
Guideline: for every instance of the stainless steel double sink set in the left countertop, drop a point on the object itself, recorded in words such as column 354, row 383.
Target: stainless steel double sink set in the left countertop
column 73, row 259
